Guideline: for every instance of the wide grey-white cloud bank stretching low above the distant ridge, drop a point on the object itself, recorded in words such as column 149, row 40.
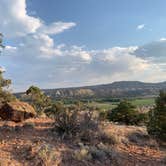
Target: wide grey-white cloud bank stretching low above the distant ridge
column 75, row 66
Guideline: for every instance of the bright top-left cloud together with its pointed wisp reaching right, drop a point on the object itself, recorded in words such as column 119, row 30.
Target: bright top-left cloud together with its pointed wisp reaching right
column 16, row 22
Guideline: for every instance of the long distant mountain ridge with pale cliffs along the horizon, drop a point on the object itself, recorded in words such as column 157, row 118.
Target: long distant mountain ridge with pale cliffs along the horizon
column 114, row 90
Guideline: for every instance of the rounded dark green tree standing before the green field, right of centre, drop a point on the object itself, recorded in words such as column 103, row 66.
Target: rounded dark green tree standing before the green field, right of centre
column 125, row 113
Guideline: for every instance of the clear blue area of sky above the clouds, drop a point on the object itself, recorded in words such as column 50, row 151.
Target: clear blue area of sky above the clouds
column 105, row 23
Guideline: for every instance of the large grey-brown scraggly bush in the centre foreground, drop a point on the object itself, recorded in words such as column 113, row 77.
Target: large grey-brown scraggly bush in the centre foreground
column 71, row 122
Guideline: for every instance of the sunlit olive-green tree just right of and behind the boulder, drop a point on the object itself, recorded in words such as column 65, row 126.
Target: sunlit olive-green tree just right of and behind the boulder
column 38, row 99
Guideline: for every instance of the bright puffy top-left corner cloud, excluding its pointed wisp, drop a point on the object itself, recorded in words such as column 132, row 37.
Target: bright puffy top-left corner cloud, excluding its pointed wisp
column 14, row 19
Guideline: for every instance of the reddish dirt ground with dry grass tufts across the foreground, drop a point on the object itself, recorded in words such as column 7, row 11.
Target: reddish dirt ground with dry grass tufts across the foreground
column 32, row 143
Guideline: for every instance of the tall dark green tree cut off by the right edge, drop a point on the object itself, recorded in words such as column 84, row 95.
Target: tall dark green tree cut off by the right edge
column 157, row 116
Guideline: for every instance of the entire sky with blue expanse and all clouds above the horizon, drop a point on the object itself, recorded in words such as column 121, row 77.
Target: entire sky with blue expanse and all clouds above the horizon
column 60, row 43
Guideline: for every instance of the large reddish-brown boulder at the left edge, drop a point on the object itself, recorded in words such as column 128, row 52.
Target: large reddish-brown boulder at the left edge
column 16, row 111
